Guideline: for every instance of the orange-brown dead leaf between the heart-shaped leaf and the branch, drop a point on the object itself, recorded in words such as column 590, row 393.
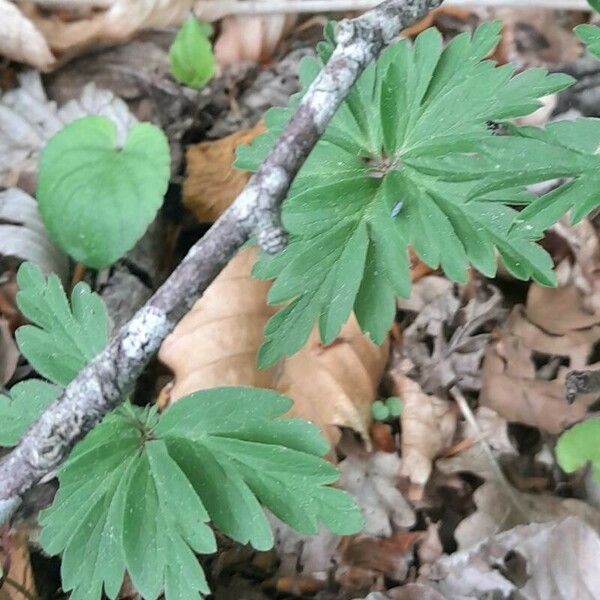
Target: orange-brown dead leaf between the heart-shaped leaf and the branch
column 212, row 182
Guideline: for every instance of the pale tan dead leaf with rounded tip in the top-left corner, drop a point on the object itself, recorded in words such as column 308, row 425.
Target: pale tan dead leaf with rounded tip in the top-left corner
column 21, row 40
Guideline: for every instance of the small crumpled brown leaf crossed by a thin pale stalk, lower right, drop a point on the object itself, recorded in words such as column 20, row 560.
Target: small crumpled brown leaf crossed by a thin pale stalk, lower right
column 494, row 430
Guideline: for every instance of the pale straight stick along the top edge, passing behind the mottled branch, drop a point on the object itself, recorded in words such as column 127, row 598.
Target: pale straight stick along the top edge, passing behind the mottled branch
column 213, row 10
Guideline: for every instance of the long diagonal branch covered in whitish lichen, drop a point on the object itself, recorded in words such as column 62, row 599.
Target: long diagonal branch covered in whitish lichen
column 111, row 375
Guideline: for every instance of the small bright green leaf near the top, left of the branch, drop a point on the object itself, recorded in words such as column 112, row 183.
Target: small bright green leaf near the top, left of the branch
column 191, row 55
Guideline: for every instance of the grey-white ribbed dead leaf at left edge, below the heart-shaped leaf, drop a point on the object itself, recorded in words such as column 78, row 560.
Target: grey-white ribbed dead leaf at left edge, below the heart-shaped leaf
column 24, row 236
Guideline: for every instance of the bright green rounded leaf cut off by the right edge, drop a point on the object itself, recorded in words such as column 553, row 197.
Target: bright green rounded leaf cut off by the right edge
column 580, row 445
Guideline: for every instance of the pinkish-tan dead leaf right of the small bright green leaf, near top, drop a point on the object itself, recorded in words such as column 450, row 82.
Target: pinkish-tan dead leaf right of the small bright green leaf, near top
column 251, row 37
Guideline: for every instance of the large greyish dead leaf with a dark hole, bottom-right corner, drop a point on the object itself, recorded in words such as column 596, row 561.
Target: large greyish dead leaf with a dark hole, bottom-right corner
column 557, row 560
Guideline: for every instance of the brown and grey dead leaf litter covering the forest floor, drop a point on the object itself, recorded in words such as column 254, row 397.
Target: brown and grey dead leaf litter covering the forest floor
column 439, row 520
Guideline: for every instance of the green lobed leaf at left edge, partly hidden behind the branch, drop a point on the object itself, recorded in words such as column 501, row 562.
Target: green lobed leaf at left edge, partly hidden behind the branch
column 61, row 340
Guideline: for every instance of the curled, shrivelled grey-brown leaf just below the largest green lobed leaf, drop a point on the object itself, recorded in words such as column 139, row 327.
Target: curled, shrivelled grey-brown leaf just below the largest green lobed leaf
column 446, row 341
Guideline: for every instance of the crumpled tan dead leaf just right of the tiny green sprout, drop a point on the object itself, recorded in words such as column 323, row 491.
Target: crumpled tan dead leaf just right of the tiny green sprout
column 428, row 426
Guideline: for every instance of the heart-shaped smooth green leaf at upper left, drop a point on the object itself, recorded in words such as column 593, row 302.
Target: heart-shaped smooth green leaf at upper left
column 95, row 198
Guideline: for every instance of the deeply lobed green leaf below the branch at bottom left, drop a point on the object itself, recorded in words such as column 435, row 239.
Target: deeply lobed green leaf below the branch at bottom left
column 137, row 493
